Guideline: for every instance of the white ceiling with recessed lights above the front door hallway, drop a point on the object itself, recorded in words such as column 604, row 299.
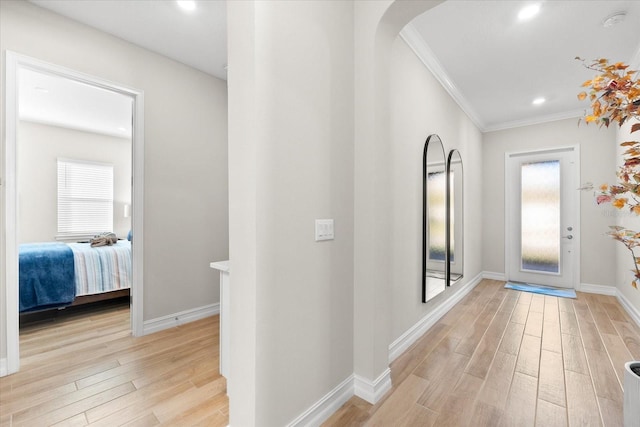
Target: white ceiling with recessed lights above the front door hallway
column 495, row 65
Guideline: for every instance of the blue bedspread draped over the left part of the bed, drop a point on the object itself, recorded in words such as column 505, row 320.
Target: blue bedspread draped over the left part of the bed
column 46, row 276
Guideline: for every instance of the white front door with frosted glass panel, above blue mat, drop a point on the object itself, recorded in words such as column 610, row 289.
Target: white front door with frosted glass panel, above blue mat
column 542, row 217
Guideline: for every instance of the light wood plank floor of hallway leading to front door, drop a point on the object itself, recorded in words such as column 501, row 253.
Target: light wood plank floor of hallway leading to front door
column 507, row 358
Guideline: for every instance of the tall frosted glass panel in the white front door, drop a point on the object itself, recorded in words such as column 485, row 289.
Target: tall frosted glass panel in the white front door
column 540, row 216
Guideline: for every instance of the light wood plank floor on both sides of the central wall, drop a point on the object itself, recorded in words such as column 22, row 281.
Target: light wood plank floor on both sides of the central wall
column 499, row 357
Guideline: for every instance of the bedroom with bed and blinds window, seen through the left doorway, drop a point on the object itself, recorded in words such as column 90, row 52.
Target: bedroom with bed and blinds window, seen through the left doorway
column 81, row 135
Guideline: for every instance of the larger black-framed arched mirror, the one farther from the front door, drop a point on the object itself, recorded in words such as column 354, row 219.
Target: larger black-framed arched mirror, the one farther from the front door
column 433, row 218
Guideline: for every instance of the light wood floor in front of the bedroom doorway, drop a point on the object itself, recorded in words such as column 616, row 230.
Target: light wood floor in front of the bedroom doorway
column 88, row 370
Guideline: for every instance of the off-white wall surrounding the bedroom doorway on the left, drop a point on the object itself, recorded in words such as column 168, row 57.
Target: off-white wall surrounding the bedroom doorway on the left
column 185, row 206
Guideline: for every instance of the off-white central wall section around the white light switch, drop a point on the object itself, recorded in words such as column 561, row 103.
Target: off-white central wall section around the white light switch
column 291, row 162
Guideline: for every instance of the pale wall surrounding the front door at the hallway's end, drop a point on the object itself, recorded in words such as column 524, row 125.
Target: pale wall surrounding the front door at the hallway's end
column 598, row 259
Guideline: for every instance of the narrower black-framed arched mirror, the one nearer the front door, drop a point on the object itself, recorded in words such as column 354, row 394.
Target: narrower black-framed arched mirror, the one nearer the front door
column 455, row 241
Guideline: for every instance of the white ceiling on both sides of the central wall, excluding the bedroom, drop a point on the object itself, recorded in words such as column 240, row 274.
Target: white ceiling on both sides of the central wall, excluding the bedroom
column 491, row 63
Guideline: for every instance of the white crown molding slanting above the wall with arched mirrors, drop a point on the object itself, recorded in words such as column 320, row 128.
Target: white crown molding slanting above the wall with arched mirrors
column 414, row 40
